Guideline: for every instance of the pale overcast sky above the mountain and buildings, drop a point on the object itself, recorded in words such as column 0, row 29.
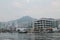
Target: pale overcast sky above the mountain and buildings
column 15, row 9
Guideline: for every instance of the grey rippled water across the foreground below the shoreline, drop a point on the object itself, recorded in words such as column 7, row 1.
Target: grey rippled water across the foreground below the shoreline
column 29, row 36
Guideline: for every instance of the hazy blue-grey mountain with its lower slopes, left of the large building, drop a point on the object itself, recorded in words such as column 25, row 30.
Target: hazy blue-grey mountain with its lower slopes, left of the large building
column 25, row 21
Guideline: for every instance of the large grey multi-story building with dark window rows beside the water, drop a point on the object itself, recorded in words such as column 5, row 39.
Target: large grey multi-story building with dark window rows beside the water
column 45, row 23
